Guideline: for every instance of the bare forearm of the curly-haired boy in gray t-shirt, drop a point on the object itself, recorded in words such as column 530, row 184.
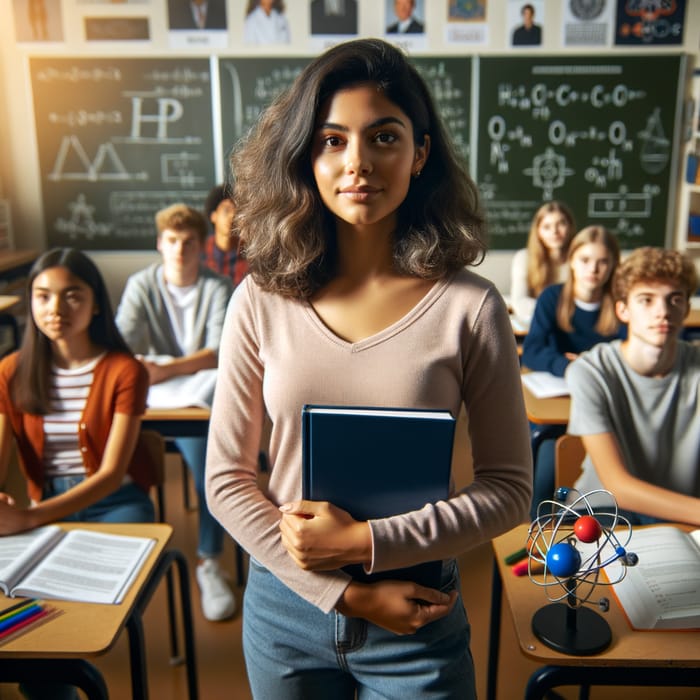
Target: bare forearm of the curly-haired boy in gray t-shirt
column 634, row 494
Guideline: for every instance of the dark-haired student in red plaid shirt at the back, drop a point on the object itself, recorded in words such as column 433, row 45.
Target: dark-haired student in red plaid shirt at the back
column 221, row 249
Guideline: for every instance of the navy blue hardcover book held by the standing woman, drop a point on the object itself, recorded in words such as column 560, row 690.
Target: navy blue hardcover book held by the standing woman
column 378, row 462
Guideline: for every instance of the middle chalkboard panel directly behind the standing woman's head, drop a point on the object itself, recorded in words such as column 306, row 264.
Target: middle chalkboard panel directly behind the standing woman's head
column 248, row 85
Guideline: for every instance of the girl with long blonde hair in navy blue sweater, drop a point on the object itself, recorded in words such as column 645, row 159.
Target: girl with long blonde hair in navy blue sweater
column 570, row 318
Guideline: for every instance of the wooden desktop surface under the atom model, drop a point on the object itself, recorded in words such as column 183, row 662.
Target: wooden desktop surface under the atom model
column 629, row 647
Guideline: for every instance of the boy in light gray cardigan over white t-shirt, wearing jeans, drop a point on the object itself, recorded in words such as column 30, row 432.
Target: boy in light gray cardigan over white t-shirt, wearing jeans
column 175, row 308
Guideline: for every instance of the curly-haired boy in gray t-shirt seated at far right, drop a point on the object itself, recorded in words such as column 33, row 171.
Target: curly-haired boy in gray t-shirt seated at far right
column 636, row 402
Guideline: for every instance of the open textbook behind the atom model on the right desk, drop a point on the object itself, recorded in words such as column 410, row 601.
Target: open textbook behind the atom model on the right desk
column 663, row 590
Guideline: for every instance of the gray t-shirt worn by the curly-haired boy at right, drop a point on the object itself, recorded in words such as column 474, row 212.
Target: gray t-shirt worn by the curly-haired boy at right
column 656, row 420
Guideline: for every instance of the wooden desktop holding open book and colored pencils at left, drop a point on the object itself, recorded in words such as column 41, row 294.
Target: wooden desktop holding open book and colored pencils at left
column 86, row 629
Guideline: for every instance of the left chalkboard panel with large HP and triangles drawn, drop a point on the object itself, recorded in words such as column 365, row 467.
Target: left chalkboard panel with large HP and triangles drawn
column 119, row 139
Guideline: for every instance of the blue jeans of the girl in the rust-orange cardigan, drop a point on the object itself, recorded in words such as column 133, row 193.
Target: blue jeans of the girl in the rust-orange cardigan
column 128, row 504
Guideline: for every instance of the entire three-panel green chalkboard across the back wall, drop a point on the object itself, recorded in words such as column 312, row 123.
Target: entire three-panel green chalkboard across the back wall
column 120, row 138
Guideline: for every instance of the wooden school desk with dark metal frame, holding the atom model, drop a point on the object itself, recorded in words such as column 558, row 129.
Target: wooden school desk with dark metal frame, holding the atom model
column 635, row 658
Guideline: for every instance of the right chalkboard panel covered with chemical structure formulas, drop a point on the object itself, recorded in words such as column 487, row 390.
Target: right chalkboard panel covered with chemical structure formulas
column 595, row 132
